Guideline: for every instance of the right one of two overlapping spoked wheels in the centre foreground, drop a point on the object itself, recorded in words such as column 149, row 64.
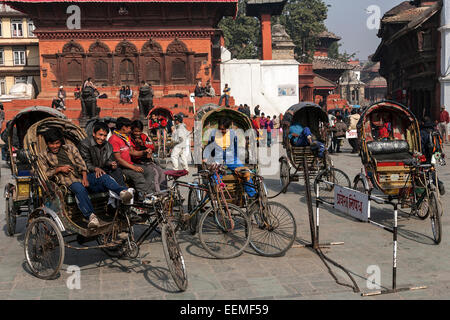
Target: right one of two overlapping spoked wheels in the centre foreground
column 273, row 229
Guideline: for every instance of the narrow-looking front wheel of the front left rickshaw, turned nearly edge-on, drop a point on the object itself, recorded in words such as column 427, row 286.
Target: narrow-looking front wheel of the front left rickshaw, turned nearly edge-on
column 174, row 257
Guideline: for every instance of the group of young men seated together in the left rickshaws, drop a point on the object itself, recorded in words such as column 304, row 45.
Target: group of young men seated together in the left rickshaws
column 99, row 165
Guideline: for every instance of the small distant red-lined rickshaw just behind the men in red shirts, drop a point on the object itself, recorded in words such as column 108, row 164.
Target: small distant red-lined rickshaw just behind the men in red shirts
column 161, row 136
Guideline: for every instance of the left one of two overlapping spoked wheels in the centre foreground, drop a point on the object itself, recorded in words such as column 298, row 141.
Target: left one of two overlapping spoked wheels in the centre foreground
column 225, row 235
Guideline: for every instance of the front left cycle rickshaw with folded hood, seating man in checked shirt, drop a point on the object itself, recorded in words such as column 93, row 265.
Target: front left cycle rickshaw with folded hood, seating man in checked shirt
column 58, row 223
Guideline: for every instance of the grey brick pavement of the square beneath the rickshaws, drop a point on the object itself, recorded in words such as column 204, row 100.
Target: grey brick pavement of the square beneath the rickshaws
column 299, row 274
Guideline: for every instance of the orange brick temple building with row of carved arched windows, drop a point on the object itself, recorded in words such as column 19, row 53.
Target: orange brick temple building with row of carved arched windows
column 169, row 43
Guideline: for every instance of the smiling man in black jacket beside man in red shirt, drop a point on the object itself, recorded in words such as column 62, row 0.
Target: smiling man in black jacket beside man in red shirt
column 98, row 155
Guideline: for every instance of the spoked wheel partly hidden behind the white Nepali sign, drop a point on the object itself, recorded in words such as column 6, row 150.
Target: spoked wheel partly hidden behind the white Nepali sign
column 333, row 175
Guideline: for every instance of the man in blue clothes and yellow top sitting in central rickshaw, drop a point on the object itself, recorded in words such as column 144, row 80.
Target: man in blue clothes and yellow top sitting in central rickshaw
column 223, row 148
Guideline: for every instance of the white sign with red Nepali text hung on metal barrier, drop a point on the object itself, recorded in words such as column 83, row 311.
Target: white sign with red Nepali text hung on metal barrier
column 351, row 202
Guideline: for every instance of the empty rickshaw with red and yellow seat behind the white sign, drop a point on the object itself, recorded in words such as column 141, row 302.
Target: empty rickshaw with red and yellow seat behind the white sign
column 390, row 144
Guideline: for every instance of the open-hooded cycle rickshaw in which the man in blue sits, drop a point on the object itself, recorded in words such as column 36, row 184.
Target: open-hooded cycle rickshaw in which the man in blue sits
column 273, row 225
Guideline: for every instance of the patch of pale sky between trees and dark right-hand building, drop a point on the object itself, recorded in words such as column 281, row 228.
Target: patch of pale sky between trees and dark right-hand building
column 349, row 20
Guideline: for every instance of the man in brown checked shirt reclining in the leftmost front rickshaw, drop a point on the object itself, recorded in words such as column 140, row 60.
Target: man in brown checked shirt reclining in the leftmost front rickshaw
column 65, row 162
